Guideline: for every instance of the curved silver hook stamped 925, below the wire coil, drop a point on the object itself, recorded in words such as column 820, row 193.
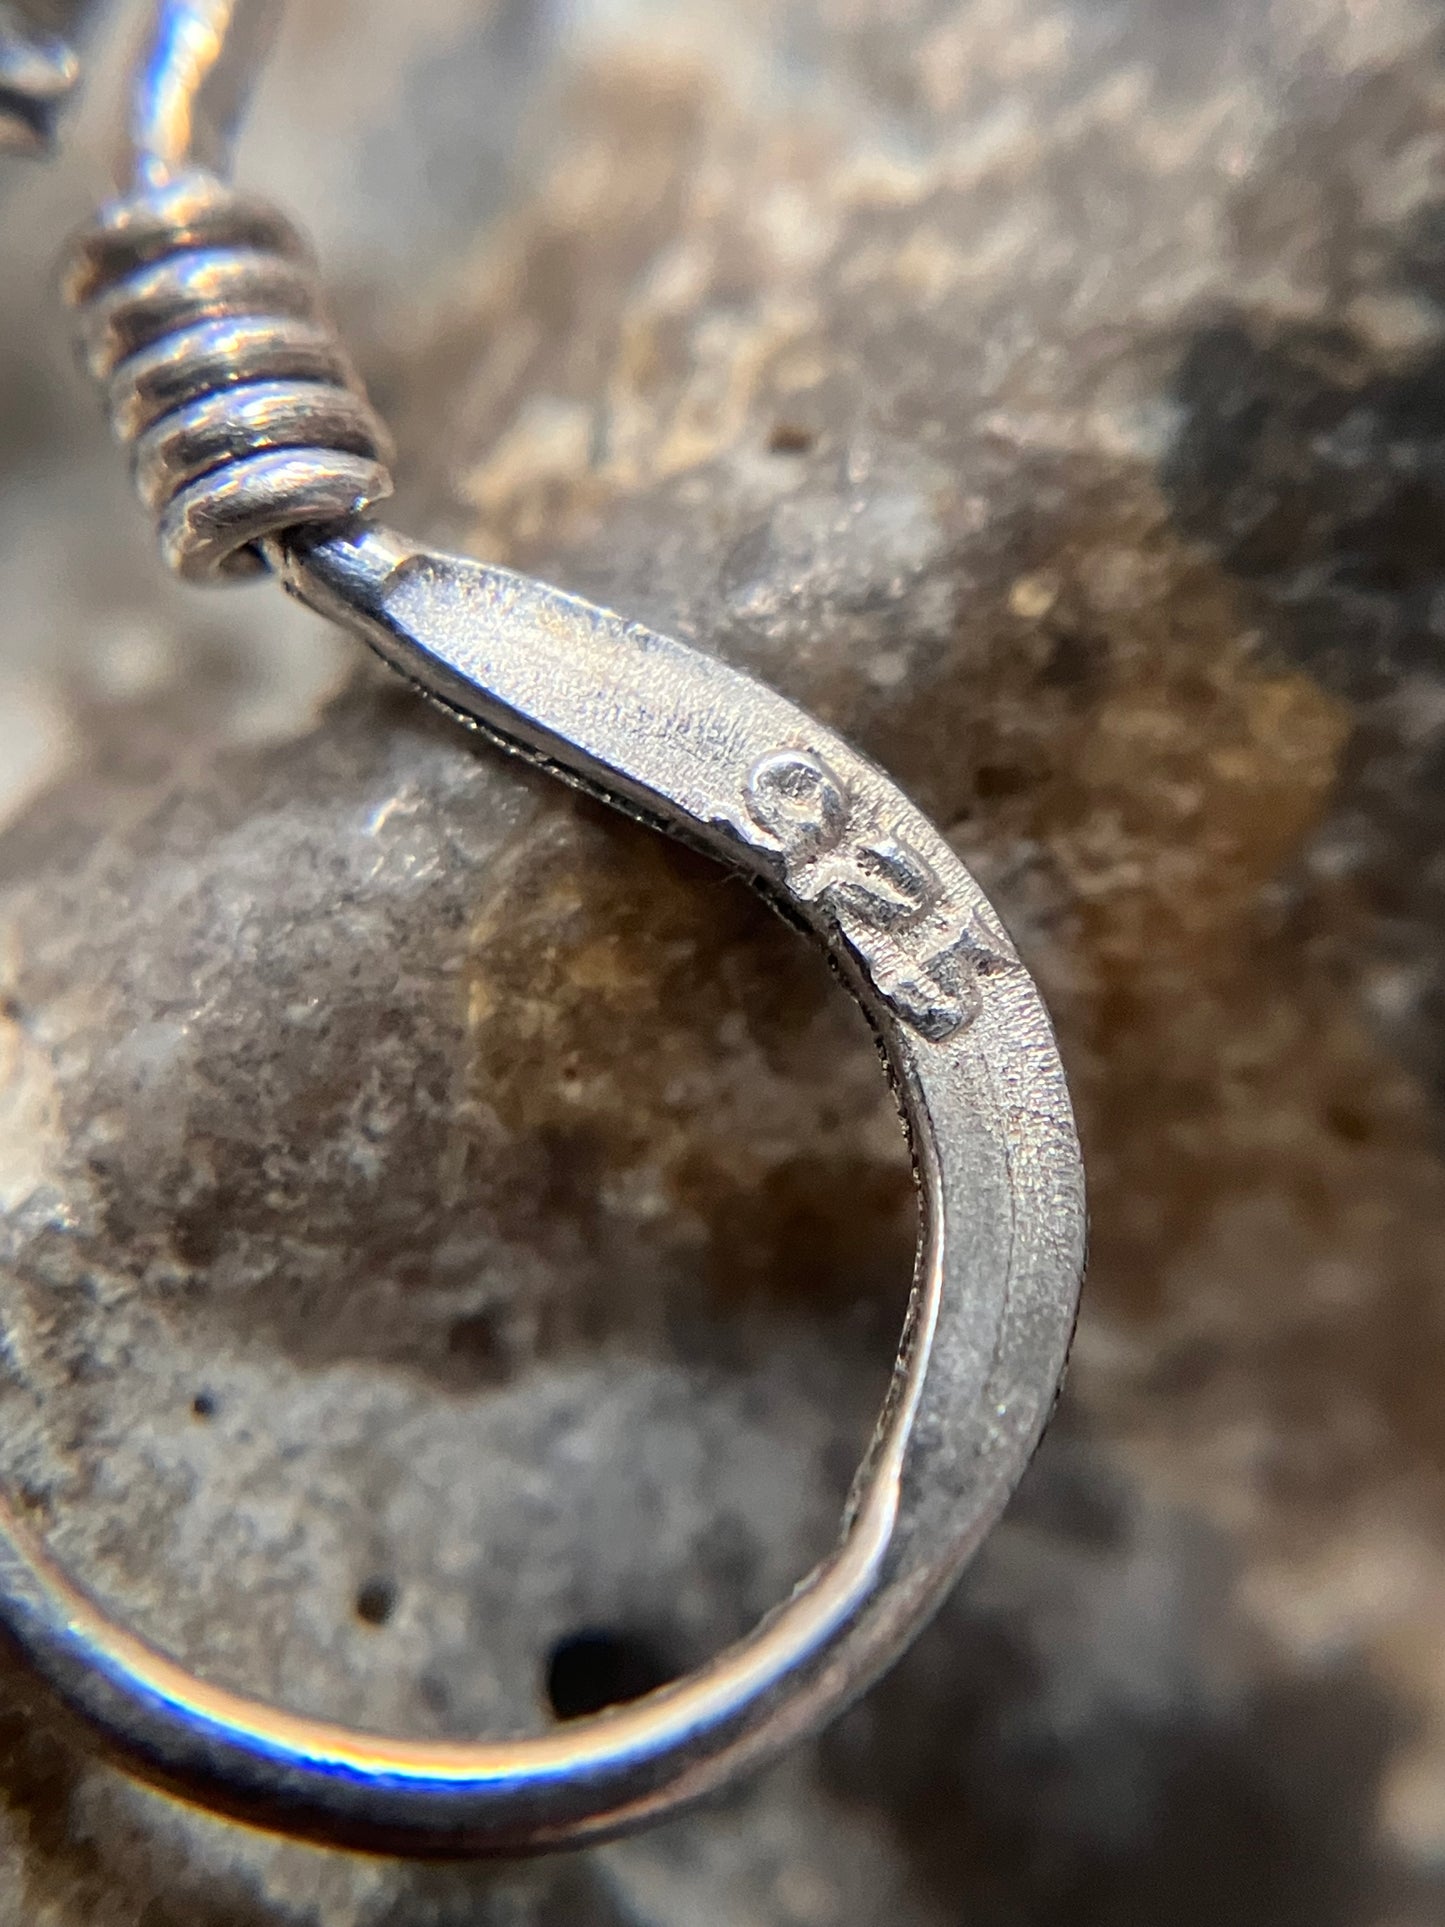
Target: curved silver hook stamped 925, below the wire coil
column 708, row 754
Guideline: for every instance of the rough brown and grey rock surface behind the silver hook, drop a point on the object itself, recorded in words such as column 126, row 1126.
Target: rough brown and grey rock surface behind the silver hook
column 454, row 1244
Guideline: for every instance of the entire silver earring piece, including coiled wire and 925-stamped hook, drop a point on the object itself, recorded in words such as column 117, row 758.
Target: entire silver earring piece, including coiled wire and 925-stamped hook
column 255, row 448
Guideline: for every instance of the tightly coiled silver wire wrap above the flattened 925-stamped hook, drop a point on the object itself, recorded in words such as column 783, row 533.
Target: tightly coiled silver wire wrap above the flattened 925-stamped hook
column 201, row 315
